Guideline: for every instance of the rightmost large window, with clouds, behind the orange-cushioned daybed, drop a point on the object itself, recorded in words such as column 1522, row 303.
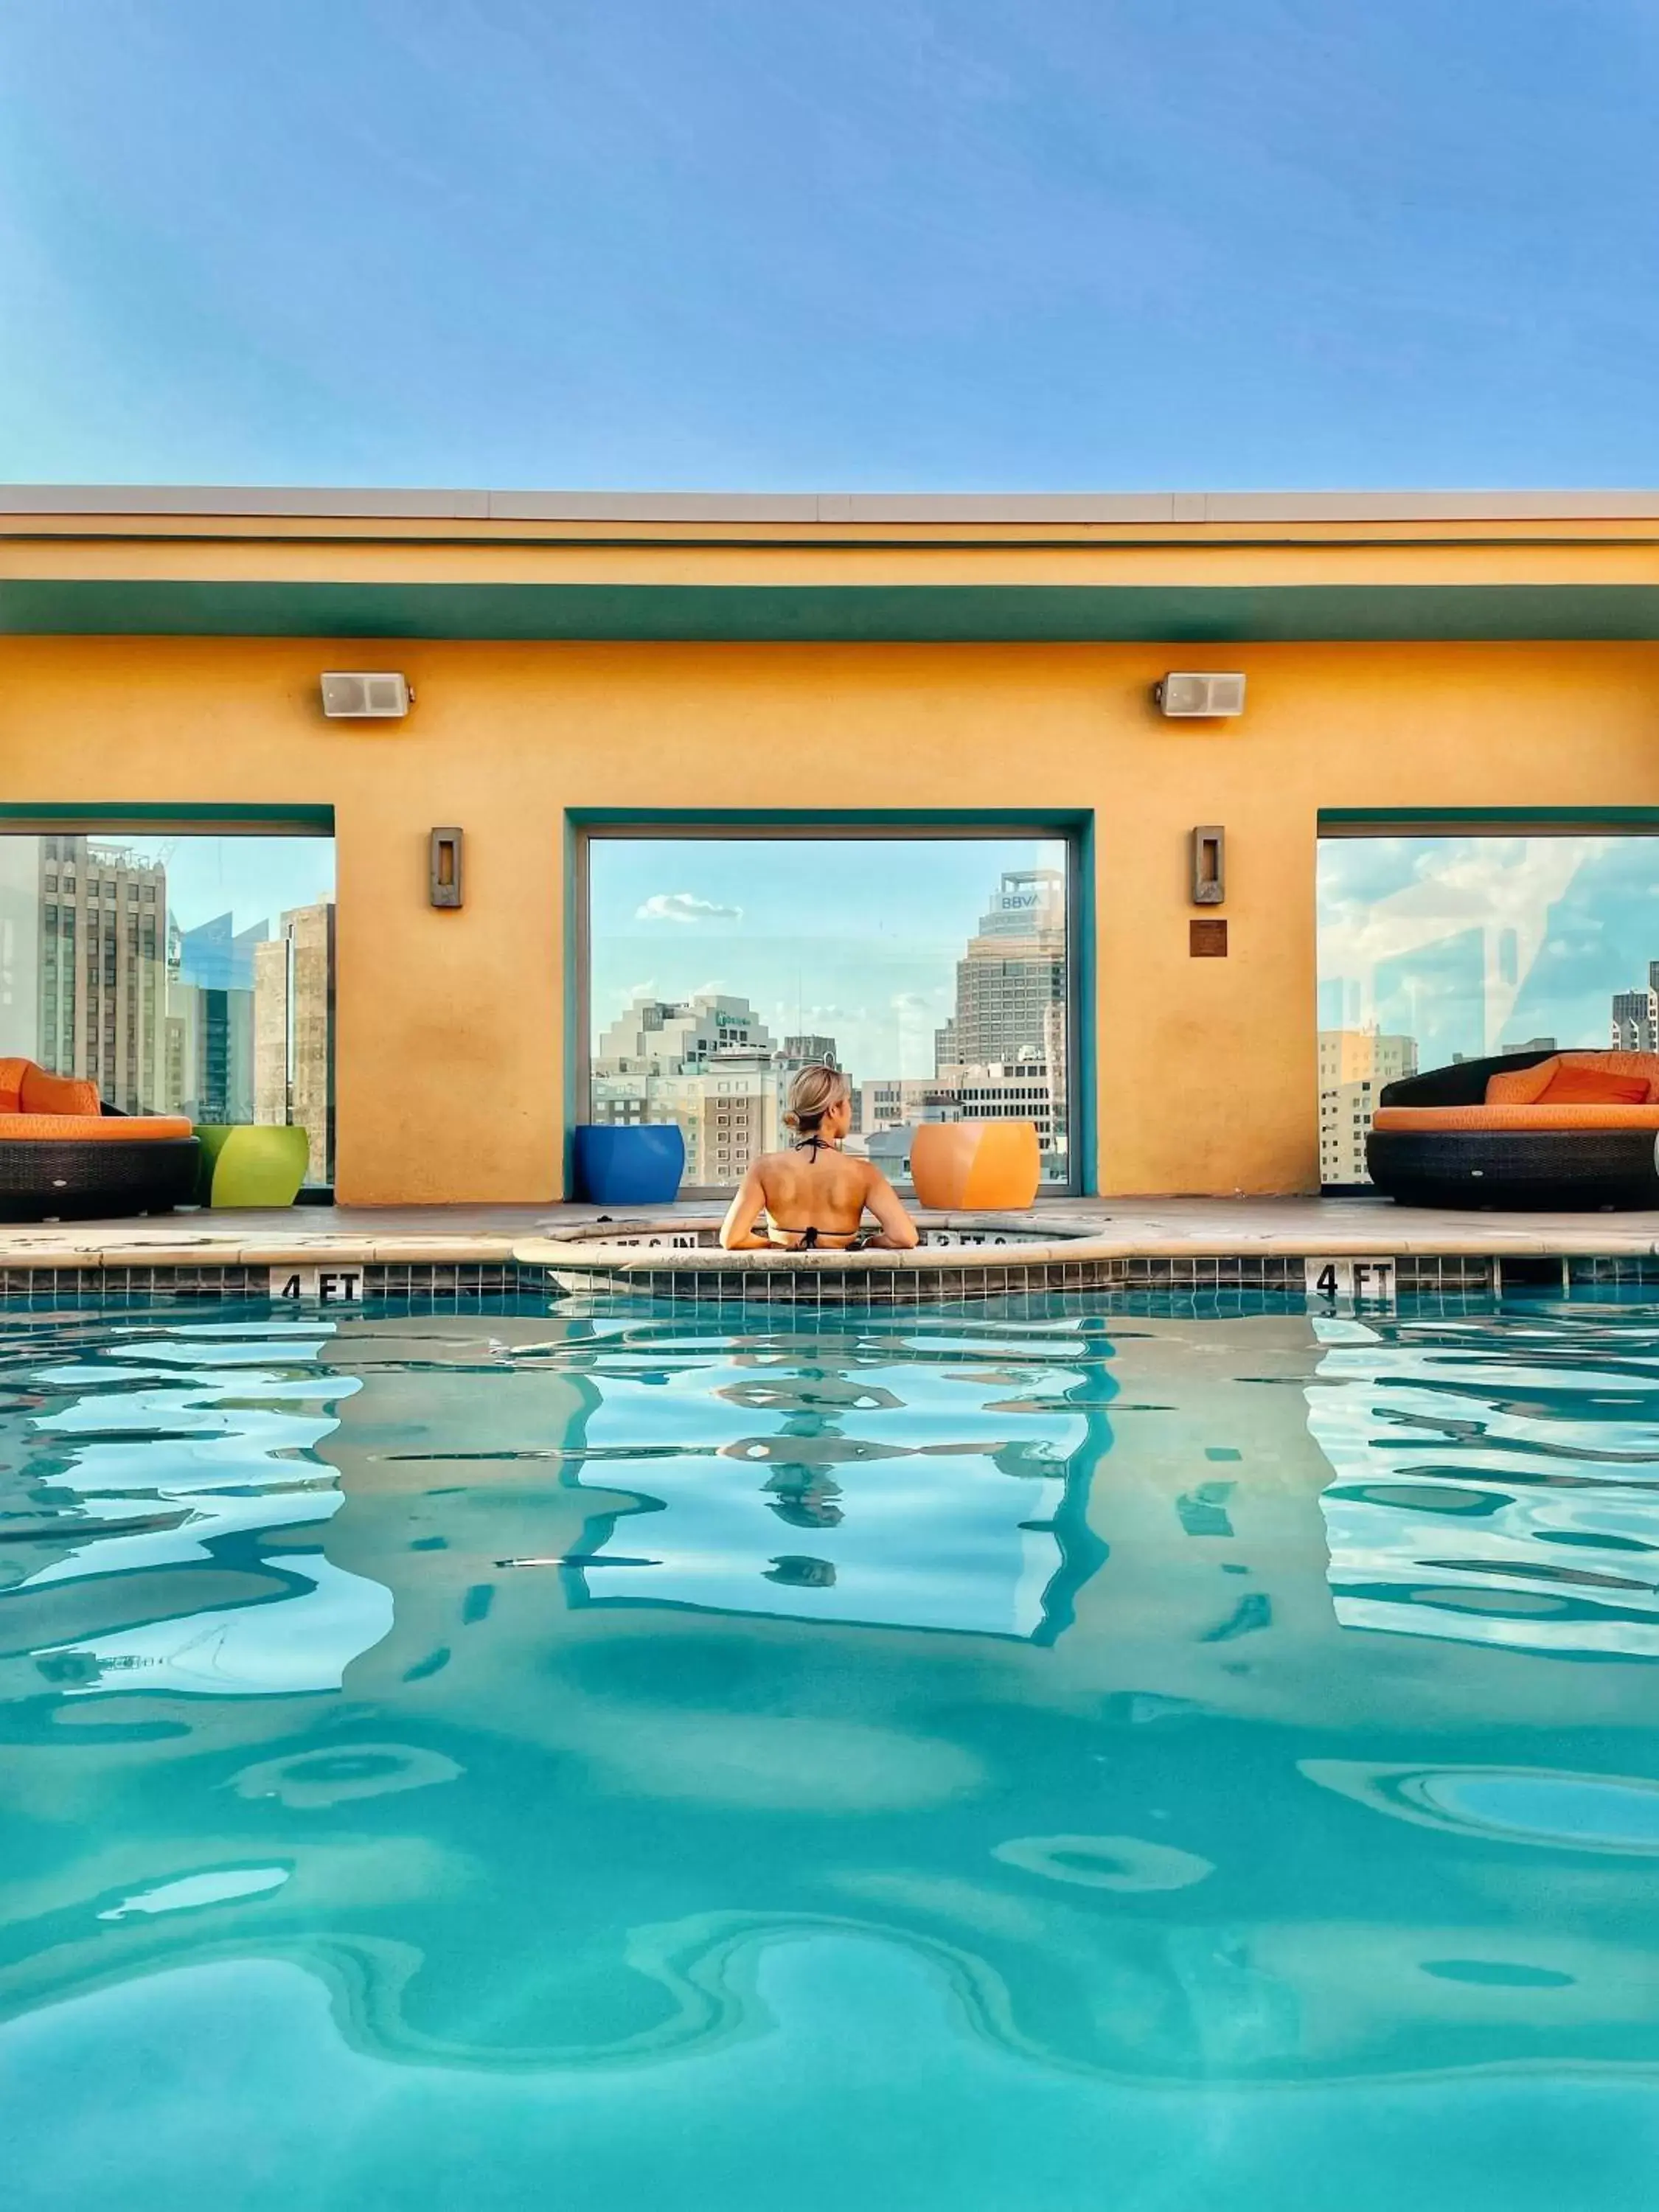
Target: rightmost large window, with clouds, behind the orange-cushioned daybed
column 1454, row 948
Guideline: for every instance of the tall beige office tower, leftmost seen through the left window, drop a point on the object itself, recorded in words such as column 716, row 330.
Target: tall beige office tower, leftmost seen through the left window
column 103, row 970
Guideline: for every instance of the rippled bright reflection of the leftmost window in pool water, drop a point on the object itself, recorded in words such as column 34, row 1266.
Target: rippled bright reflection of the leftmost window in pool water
column 169, row 1536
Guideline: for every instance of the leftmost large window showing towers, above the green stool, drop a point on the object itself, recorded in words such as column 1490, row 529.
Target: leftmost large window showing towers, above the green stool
column 178, row 972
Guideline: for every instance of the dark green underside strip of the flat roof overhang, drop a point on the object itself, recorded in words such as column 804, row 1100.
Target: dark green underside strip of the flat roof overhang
column 828, row 614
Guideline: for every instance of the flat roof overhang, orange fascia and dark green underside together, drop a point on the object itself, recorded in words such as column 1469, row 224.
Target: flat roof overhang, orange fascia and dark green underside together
column 1176, row 570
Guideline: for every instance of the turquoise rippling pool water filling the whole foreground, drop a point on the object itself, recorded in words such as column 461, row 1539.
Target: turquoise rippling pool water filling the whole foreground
column 977, row 1762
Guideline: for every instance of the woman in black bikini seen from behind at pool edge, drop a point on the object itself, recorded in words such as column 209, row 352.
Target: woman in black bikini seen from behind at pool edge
column 815, row 1198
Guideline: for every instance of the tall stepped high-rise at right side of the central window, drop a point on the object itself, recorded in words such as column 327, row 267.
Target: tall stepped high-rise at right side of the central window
column 1012, row 974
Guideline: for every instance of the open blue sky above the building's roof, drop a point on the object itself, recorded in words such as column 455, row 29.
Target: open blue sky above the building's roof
column 997, row 244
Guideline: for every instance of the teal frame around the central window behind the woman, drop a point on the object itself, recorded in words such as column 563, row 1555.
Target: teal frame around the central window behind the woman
column 1070, row 828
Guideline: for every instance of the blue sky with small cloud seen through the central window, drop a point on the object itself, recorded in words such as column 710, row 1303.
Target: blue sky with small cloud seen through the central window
column 848, row 939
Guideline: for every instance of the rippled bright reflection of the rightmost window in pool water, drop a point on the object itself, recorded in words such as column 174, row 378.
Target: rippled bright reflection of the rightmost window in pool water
column 1496, row 1481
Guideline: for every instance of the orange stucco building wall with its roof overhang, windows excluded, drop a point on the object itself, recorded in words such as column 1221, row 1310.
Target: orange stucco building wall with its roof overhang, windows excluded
column 585, row 667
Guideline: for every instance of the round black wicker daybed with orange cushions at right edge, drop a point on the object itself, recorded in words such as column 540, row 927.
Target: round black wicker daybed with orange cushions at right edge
column 1536, row 1129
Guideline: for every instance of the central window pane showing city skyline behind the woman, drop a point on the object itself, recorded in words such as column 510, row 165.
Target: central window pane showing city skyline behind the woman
column 935, row 970
